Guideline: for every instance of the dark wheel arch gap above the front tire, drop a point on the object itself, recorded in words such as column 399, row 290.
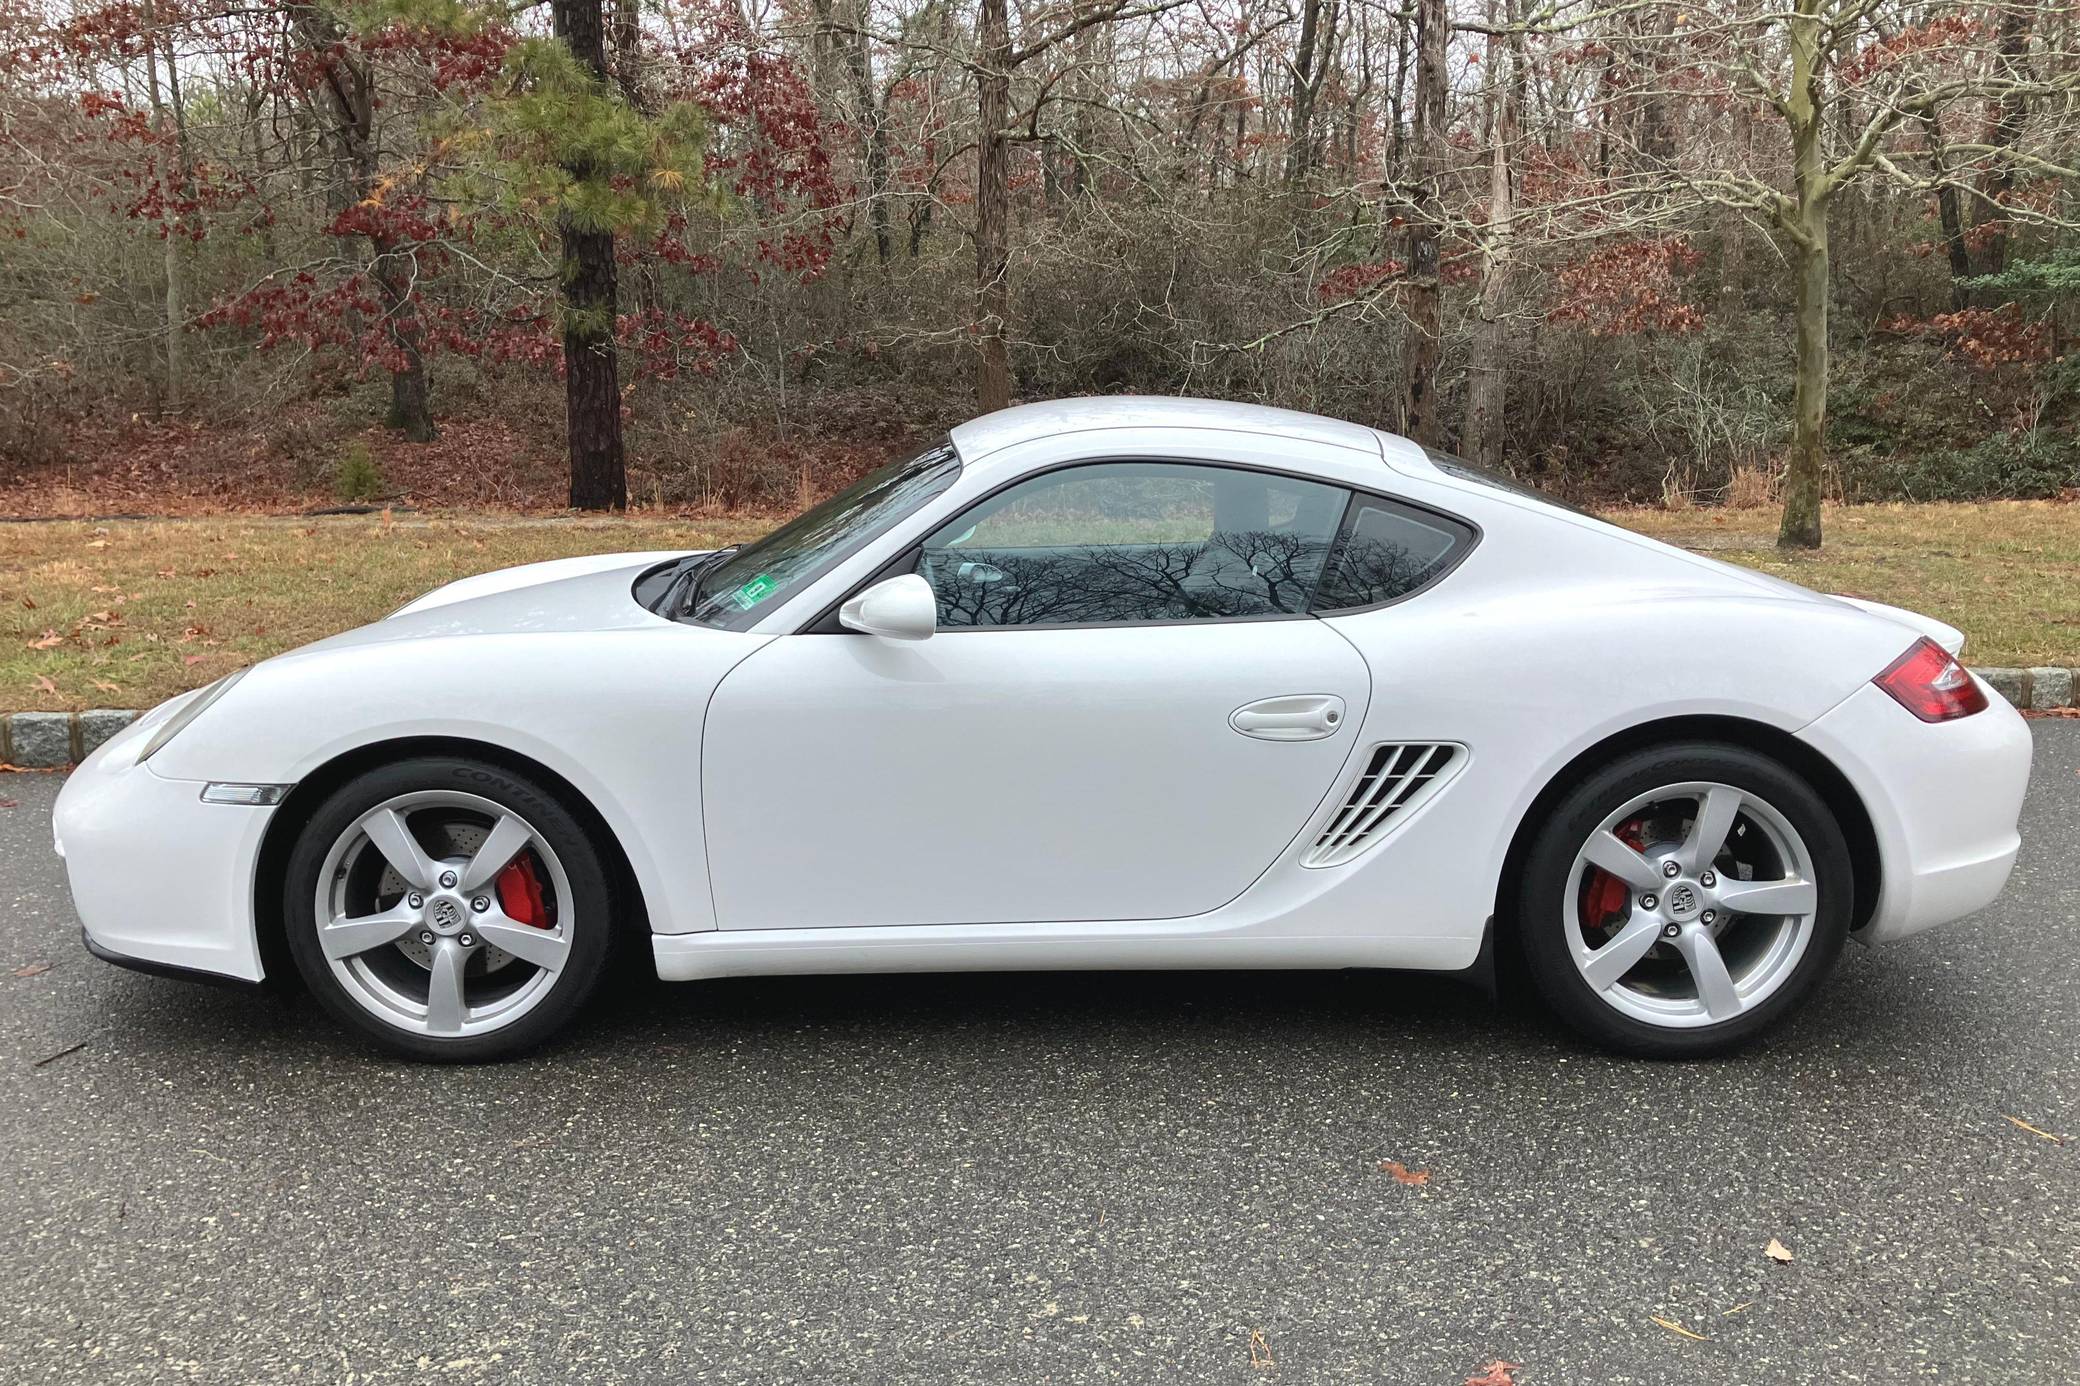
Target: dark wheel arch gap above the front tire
column 288, row 825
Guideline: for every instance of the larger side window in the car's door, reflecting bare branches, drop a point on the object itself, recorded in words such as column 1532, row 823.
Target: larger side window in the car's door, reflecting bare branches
column 1120, row 542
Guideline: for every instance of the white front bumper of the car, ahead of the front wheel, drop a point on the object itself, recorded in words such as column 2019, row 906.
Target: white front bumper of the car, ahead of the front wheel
column 159, row 877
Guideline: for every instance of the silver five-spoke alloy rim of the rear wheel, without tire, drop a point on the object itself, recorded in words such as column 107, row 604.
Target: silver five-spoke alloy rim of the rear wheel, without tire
column 1715, row 921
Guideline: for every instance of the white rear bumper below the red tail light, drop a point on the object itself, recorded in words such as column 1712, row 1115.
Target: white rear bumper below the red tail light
column 1944, row 802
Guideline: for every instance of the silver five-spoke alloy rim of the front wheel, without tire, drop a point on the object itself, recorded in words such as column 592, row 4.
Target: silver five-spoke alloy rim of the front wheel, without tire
column 432, row 956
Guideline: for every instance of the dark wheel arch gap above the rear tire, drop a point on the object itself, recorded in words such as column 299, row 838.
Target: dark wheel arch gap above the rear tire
column 1761, row 738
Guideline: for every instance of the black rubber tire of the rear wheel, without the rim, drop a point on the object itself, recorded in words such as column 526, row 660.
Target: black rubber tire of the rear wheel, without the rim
column 1542, row 896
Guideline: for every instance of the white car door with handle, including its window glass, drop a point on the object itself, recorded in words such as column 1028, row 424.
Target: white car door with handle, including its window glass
column 1124, row 715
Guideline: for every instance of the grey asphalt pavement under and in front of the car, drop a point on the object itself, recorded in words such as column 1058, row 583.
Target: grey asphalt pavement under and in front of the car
column 1051, row 1179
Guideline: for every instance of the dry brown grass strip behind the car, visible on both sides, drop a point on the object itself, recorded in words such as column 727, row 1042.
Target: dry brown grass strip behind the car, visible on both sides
column 124, row 615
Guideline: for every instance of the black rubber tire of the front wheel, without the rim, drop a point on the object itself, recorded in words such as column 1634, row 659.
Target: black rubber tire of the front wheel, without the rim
column 592, row 904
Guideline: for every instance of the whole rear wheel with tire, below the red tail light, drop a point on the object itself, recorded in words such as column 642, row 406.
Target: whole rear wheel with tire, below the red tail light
column 1684, row 900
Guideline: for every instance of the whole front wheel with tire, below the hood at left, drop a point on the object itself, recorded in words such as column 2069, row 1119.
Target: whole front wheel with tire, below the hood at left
column 448, row 910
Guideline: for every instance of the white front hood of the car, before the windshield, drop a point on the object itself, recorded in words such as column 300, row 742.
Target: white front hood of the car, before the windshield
column 567, row 594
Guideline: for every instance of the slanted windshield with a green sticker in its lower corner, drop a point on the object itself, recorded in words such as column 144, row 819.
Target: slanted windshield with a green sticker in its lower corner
column 746, row 586
